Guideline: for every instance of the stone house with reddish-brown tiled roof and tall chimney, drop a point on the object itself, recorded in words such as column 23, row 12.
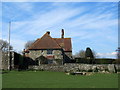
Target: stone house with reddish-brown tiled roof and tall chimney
column 51, row 48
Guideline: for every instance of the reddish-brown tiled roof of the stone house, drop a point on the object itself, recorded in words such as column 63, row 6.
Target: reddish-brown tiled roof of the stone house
column 47, row 42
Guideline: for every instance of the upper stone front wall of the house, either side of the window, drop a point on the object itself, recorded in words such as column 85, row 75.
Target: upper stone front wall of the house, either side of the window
column 36, row 53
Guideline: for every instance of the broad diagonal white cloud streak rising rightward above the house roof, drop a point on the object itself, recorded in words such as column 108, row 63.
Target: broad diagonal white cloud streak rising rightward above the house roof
column 46, row 20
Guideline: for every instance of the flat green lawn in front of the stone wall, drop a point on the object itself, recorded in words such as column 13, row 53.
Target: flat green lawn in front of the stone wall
column 46, row 79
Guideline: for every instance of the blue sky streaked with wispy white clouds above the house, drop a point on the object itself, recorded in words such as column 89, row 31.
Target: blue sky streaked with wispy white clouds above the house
column 89, row 24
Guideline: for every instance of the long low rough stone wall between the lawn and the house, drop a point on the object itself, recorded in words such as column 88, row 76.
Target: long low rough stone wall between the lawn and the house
column 68, row 67
